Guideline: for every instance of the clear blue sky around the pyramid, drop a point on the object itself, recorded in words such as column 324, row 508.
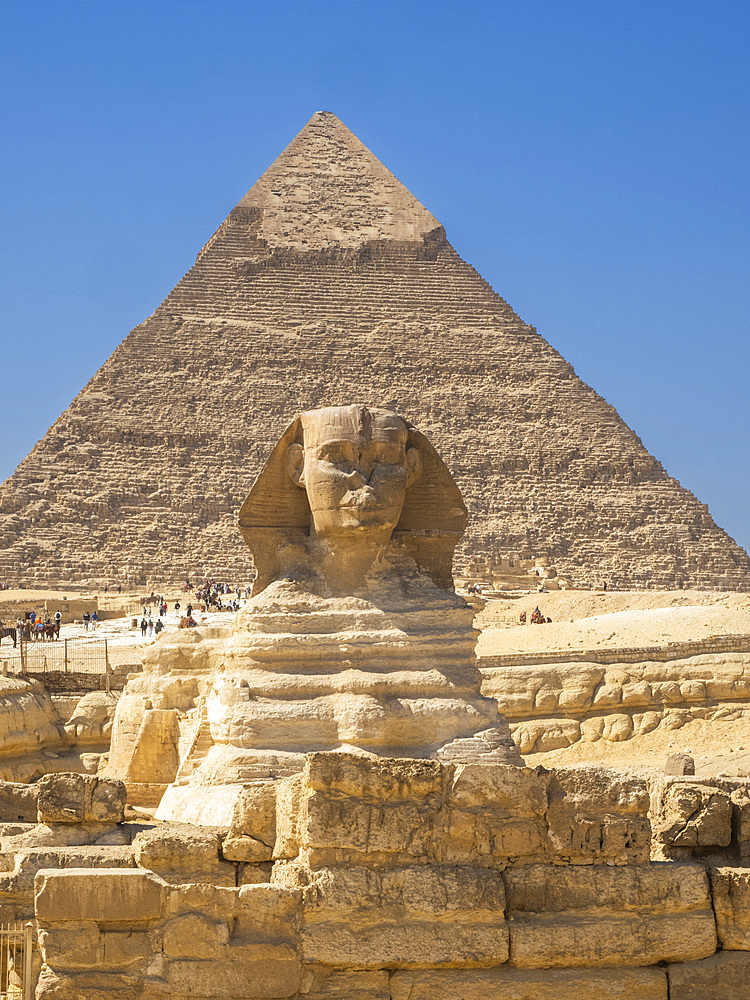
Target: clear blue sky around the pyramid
column 590, row 159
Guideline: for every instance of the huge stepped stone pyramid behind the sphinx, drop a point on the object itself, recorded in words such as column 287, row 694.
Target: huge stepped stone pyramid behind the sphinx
column 330, row 283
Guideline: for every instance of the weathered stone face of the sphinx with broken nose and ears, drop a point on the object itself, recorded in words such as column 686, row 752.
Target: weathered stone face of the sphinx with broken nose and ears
column 355, row 468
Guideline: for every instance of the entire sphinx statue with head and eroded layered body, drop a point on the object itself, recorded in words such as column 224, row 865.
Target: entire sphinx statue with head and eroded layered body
column 354, row 638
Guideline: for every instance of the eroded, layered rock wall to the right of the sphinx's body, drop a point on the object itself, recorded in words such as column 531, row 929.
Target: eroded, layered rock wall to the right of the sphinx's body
column 552, row 700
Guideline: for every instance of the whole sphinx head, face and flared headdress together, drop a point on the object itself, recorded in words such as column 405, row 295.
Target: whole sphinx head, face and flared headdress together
column 342, row 483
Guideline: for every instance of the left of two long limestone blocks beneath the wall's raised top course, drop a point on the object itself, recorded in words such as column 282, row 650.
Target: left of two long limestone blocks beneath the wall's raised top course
column 434, row 916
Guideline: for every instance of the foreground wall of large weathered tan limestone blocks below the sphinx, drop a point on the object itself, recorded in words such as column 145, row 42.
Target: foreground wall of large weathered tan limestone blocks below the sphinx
column 396, row 880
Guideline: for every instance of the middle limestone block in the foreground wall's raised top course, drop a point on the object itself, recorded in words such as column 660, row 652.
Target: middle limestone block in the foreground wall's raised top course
column 496, row 812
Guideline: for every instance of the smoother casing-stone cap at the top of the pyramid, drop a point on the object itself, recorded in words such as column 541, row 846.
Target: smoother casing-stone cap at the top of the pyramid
column 327, row 189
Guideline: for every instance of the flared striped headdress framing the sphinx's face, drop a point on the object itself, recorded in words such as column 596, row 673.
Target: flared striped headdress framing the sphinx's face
column 275, row 518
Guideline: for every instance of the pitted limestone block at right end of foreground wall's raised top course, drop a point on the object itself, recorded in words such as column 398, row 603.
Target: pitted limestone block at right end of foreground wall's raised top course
column 596, row 815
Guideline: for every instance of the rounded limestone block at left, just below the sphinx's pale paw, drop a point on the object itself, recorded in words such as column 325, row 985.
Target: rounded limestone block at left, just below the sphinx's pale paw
column 182, row 853
